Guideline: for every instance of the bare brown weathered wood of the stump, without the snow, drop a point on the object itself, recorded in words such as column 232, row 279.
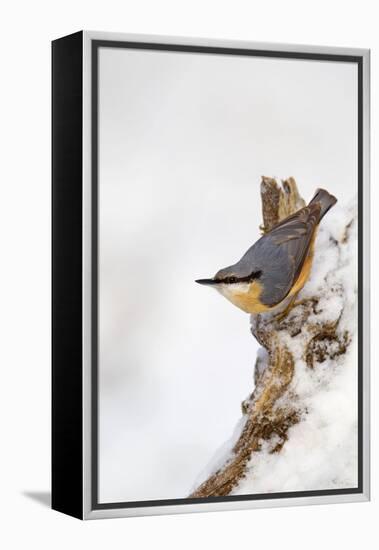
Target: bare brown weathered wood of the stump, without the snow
column 304, row 335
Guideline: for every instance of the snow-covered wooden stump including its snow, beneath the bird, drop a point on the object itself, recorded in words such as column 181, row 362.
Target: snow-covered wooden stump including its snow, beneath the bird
column 299, row 426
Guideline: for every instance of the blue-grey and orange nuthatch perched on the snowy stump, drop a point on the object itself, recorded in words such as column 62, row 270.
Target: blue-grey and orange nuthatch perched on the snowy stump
column 275, row 268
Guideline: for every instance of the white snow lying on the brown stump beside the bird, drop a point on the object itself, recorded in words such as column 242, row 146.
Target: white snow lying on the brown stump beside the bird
column 321, row 450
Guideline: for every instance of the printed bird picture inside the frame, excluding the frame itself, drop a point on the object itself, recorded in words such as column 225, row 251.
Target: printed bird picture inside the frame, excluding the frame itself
column 227, row 283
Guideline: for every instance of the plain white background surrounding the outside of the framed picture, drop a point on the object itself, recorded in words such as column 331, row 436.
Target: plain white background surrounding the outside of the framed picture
column 25, row 244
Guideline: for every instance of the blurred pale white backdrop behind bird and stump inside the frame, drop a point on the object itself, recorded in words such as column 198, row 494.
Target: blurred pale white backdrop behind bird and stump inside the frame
column 184, row 139
